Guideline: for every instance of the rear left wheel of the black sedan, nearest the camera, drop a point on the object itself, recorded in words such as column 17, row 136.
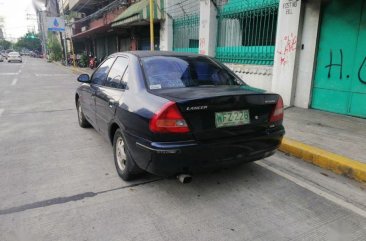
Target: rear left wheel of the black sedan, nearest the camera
column 125, row 165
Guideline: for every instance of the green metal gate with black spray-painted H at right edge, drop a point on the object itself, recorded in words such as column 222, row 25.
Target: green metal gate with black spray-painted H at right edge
column 340, row 77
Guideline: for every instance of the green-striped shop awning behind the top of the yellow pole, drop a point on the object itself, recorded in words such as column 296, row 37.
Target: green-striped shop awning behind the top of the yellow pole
column 139, row 13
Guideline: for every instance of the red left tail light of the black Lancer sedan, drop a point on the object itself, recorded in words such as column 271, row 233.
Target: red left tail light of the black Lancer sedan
column 168, row 120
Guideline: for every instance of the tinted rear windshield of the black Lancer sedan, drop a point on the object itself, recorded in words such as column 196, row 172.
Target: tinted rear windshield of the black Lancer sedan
column 178, row 72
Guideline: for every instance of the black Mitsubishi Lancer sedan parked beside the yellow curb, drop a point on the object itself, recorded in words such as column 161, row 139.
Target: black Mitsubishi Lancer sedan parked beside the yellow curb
column 171, row 114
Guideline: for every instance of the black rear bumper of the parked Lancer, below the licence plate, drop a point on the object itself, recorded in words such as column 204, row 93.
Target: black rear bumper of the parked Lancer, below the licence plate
column 168, row 159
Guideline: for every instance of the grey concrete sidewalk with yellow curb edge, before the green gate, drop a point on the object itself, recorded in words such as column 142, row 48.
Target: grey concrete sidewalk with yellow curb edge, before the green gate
column 332, row 141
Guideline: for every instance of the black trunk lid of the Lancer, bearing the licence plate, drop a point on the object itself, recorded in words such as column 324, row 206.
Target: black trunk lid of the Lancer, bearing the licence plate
column 204, row 107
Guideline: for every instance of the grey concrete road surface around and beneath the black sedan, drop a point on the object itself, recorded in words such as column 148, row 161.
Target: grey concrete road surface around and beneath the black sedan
column 58, row 182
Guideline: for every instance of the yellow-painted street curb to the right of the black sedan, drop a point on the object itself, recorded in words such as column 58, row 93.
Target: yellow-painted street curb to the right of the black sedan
column 327, row 160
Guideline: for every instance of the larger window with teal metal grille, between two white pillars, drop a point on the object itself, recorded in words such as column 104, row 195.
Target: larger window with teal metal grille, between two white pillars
column 247, row 31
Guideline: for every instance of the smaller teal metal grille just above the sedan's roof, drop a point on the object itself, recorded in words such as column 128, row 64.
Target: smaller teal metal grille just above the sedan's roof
column 186, row 34
